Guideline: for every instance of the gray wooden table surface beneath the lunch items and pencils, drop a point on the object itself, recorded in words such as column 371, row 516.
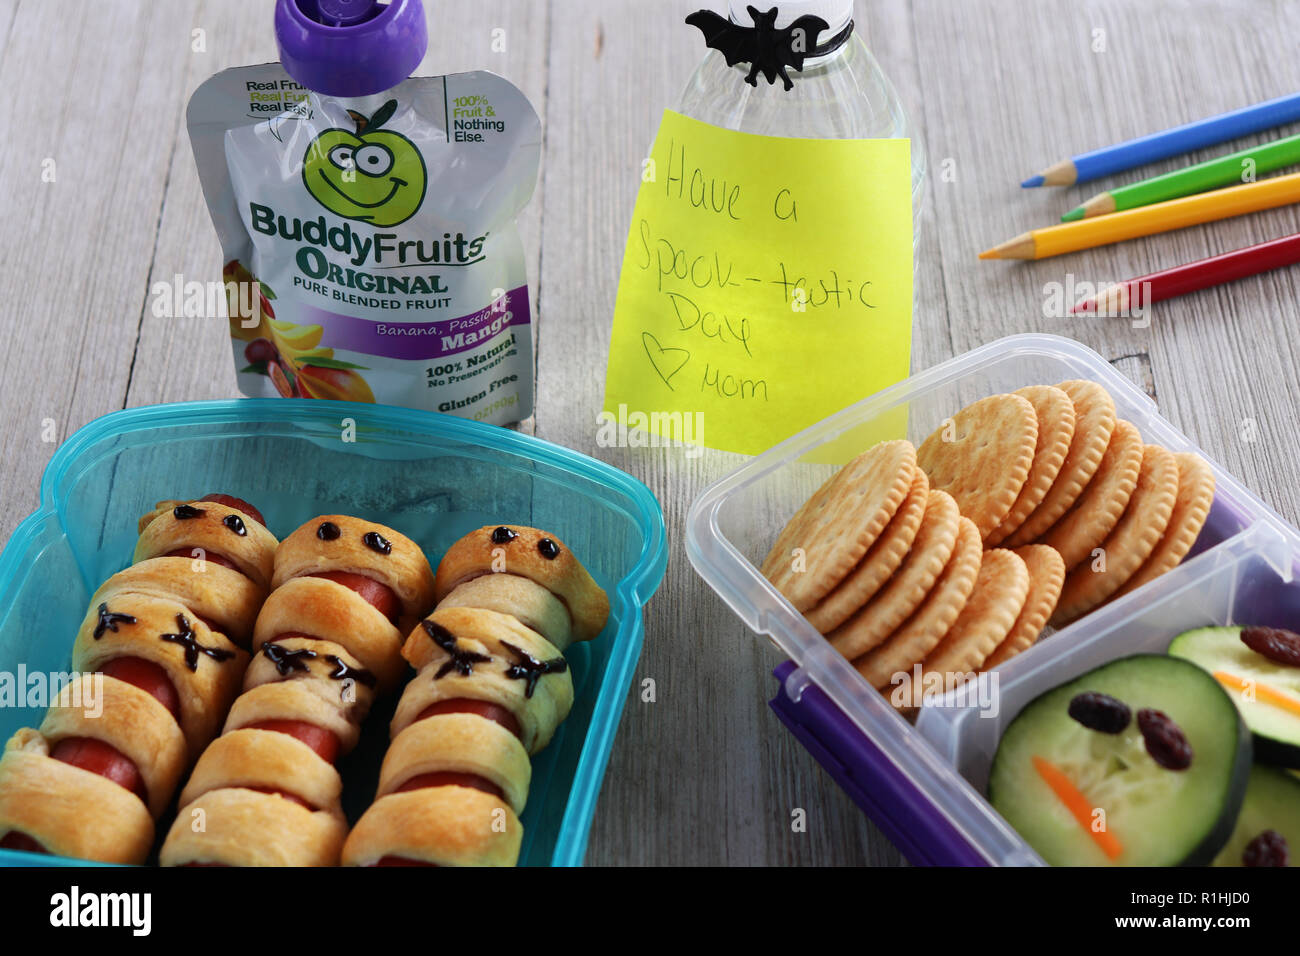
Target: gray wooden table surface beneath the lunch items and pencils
column 99, row 201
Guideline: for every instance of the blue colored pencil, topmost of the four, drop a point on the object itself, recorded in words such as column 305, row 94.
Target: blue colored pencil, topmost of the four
column 1172, row 142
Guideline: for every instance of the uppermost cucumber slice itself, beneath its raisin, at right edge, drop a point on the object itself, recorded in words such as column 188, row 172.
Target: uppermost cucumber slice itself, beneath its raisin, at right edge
column 1277, row 730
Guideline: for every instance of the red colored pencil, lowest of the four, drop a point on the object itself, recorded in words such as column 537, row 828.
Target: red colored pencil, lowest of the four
column 1119, row 300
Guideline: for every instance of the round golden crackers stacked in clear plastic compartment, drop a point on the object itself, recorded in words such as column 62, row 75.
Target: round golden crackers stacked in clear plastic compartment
column 1022, row 511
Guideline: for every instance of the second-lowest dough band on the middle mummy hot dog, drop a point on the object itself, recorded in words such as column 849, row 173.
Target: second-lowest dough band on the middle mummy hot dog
column 257, row 759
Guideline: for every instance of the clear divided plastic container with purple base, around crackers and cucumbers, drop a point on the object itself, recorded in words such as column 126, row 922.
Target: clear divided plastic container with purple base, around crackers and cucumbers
column 924, row 785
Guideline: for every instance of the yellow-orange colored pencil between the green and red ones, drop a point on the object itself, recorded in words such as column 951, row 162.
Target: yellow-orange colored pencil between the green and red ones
column 1149, row 220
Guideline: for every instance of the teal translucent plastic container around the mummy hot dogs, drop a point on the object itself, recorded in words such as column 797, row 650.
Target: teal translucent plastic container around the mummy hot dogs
column 431, row 477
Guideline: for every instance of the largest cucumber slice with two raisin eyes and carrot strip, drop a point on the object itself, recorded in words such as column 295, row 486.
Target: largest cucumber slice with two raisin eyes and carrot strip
column 1155, row 817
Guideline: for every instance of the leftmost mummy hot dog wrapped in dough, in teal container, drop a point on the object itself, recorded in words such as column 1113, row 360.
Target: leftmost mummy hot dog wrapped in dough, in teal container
column 168, row 637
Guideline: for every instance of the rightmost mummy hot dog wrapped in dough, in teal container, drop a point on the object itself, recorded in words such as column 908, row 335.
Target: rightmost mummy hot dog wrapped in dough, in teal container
column 492, row 686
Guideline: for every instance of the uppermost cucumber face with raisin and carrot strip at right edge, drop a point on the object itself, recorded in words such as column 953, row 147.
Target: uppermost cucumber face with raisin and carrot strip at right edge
column 1264, row 686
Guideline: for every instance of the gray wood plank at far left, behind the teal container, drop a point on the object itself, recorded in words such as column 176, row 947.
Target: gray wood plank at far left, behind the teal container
column 85, row 176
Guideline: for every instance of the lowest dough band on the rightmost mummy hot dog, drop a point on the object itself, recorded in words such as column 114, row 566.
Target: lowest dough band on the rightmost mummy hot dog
column 447, row 827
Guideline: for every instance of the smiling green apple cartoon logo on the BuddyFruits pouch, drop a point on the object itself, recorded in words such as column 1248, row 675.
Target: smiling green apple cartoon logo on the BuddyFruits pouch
column 374, row 175
